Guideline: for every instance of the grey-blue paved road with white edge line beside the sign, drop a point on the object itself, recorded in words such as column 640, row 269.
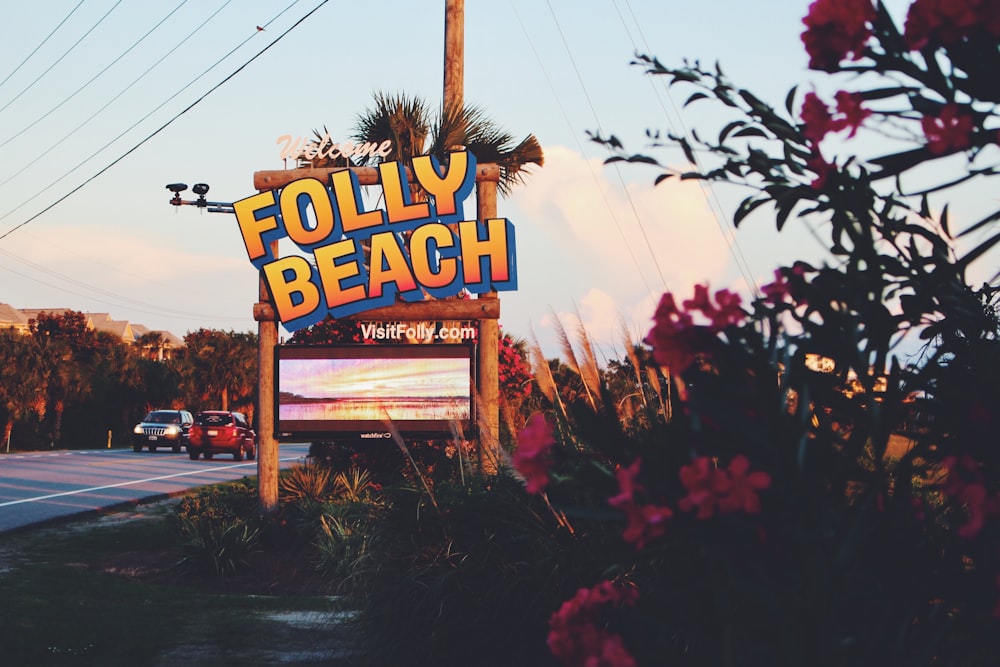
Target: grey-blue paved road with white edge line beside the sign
column 40, row 486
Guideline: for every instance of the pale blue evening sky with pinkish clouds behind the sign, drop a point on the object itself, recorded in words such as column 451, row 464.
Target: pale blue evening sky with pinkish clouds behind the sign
column 105, row 102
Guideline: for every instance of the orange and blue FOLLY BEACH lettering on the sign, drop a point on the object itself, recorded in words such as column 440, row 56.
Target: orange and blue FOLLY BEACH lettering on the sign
column 411, row 249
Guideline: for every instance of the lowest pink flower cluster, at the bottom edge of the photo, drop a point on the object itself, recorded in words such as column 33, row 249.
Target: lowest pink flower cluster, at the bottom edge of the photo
column 577, row 634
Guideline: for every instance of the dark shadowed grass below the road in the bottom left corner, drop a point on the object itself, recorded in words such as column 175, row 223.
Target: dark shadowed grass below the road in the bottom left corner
column 73, row 595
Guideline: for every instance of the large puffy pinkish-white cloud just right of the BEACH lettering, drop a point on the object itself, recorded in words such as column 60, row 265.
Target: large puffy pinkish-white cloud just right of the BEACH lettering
column 587, row 245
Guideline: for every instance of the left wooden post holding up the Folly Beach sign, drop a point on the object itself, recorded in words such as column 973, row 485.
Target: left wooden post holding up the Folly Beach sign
column 267, row 453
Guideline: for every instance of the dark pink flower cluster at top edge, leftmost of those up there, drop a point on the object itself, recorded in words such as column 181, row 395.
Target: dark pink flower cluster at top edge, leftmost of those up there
column 836, row 29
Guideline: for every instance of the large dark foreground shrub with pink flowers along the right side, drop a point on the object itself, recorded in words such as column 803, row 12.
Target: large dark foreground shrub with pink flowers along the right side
column 819, row 494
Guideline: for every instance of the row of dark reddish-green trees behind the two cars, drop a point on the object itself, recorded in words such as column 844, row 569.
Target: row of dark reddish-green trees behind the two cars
column 68, row 387
